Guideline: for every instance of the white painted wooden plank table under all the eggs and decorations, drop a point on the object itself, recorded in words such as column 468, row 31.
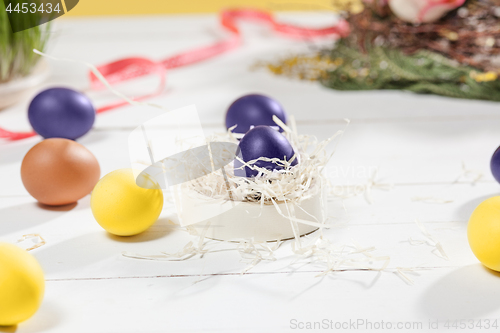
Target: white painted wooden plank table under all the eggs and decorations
column 418, row 143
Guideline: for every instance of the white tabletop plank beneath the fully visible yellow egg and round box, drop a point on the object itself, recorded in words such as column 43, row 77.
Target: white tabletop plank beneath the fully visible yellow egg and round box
column 78, row 248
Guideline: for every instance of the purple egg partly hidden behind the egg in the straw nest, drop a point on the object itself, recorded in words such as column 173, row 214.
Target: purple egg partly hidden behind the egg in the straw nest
column 254, row 110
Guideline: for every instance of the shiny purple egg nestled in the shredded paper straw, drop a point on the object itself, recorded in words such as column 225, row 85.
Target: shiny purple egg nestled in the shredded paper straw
column 262, row 141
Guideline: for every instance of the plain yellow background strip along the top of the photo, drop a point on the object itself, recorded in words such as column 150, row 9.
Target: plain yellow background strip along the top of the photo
column 141, row 7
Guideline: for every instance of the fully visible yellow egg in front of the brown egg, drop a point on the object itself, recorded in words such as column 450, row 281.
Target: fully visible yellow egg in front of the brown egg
column 121, row 207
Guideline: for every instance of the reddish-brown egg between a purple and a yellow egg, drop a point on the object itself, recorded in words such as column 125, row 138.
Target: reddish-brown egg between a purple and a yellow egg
column 59, row 171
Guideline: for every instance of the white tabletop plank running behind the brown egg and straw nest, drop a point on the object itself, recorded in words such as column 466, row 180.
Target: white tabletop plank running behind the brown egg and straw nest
column 420, row 152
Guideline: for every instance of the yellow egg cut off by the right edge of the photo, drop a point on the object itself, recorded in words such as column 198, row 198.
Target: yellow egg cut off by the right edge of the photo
column 483, row 233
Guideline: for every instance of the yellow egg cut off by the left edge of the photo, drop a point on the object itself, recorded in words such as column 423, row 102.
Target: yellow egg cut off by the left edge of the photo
column 21, row 285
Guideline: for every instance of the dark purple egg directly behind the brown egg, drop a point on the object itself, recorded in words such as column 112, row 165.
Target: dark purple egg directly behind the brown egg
column 61, row 113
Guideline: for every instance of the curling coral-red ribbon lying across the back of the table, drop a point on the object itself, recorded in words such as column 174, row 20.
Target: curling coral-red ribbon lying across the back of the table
column 131, row 68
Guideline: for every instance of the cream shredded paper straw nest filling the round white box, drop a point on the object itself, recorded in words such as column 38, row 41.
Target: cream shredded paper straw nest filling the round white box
column 292, row 184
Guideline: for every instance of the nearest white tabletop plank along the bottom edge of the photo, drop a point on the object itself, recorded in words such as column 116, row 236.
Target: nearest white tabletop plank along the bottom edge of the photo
column 264, row 302
